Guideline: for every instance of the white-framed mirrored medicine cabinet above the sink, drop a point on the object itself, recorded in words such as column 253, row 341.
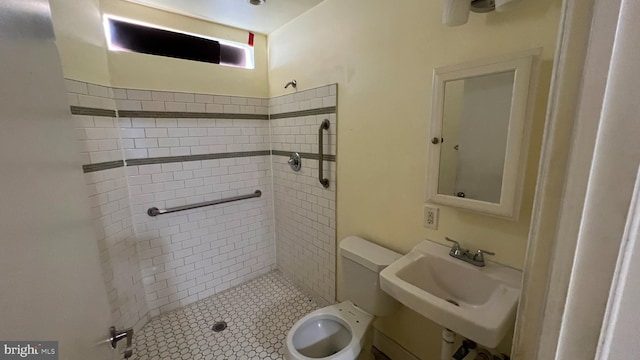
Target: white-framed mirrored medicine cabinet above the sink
column 479, row 133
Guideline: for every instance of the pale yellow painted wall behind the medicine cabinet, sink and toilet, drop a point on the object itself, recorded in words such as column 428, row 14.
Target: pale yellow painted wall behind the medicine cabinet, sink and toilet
column 382, row 55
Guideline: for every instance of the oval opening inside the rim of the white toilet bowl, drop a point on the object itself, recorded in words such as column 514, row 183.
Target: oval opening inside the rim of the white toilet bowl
column 321, row 337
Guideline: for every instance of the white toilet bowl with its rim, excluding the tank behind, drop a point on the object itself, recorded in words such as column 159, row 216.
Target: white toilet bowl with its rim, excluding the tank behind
column 334, row 332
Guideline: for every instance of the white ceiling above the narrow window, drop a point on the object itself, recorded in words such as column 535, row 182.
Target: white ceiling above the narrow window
column 237, row 13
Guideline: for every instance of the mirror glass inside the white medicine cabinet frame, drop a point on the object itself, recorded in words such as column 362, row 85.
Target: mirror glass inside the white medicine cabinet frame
column 475, row 126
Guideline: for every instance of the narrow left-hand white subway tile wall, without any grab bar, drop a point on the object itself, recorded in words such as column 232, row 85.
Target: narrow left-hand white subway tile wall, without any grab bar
column 98, row 141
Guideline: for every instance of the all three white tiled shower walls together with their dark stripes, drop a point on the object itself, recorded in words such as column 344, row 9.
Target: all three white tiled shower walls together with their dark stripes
column 162, row 149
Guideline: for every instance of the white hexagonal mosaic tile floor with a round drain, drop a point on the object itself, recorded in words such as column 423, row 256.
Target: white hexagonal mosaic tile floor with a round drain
column 258, row 315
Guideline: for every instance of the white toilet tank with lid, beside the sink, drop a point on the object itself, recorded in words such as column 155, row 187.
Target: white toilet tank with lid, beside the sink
column 362, row 262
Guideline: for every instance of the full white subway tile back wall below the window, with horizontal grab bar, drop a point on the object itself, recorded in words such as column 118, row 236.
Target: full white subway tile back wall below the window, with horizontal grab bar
column 191, row 255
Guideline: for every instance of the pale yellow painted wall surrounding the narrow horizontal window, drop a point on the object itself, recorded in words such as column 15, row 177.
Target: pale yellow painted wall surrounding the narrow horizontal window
column 81, row 42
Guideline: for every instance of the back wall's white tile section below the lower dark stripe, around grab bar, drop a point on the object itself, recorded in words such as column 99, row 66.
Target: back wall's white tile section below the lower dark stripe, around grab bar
column 189, row 255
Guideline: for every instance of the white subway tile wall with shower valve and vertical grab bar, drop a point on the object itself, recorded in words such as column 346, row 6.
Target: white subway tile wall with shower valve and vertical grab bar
column 304, row 210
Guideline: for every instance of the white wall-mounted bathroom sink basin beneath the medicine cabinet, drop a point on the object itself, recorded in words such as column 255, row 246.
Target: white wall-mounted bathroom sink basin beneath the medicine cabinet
column 478, row 303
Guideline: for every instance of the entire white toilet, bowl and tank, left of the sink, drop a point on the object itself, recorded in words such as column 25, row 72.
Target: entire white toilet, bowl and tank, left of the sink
column 340, row 331
